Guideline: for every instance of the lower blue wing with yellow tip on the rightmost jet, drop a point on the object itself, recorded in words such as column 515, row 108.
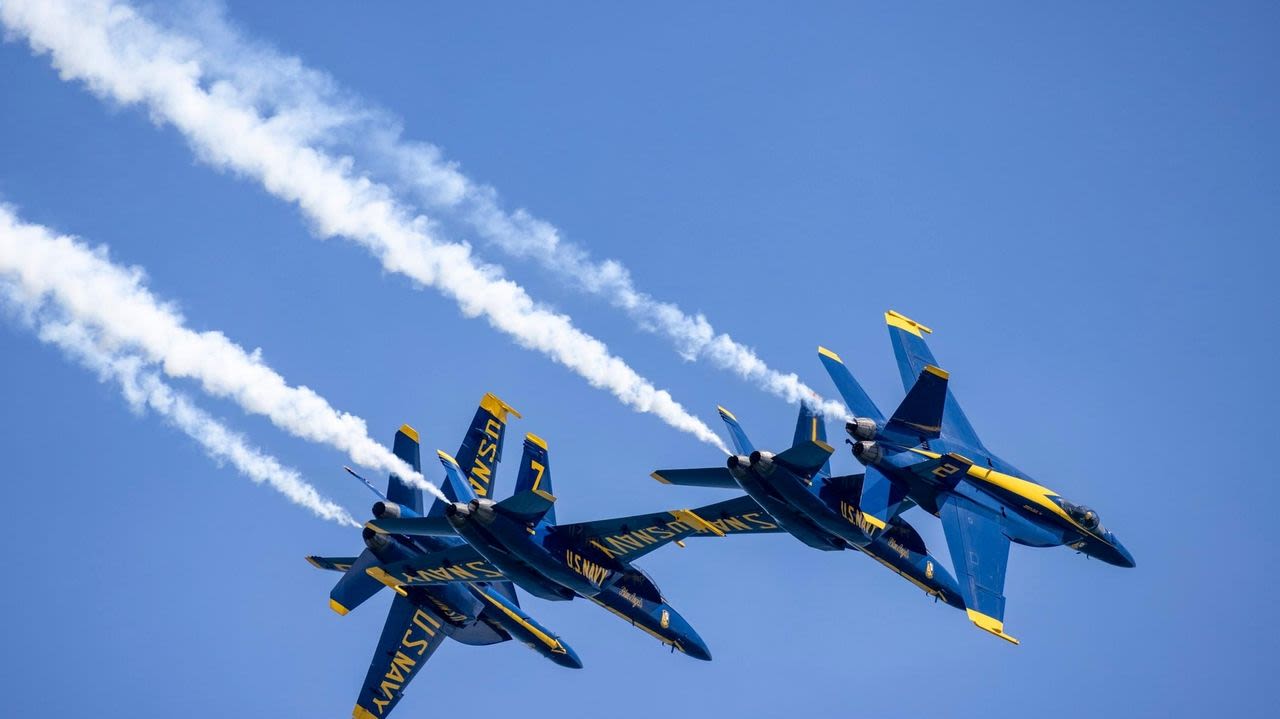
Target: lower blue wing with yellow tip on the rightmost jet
column 980, row 553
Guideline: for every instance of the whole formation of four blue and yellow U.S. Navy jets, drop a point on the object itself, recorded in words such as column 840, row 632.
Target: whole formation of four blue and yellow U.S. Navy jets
column 455, row 566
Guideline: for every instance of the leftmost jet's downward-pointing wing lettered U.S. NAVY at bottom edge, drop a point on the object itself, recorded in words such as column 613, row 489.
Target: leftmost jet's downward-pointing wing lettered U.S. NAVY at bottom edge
column 410, row 636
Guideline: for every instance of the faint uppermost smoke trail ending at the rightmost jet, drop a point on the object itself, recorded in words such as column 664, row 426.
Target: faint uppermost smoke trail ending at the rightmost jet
column 312, row 106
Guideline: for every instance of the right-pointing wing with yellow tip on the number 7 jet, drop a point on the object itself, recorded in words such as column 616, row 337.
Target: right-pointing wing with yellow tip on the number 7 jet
column 628, row 539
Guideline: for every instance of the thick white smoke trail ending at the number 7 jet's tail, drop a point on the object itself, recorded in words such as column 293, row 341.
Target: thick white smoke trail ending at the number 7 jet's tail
column 90, row 290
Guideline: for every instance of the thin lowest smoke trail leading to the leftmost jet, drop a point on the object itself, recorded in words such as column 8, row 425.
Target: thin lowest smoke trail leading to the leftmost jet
column 144, row 391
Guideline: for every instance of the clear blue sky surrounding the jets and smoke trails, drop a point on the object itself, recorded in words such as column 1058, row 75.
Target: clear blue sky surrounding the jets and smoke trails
column 1080, row 200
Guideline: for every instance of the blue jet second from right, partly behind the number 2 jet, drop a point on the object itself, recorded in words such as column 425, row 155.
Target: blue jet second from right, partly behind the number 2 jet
column 796, row 491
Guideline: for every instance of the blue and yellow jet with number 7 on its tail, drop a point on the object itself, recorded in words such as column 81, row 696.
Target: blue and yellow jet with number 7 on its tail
column 519, row 539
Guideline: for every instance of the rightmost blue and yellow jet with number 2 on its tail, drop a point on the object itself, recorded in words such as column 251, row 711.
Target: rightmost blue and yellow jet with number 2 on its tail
column 929, row 455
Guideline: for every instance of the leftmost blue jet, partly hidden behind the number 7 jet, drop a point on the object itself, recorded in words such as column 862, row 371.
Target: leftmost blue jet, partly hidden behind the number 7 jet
column 422, row 617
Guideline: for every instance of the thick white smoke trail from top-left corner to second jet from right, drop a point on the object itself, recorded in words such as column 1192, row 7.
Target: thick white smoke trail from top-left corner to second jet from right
column 124, row 57
